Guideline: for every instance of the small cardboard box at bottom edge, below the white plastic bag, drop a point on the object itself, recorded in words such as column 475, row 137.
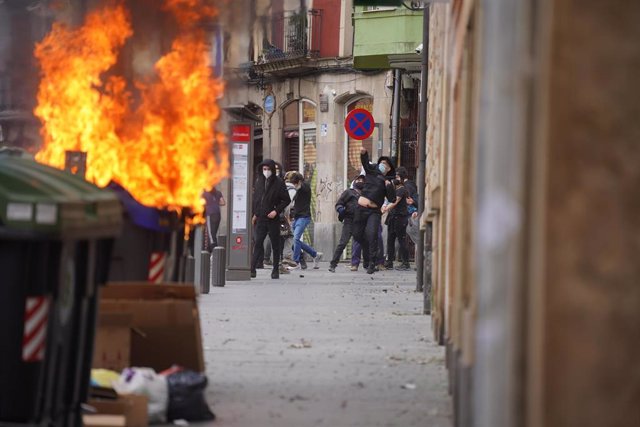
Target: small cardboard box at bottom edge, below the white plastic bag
column 129, row 410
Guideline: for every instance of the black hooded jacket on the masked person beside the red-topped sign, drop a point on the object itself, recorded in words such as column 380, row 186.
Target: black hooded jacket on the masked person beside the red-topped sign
column 269, row 194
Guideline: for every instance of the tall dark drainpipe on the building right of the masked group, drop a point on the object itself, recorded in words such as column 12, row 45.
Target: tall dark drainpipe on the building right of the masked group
column 422, row 143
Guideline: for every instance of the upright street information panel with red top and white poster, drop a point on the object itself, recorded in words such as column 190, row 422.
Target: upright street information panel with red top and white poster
column 239, row 209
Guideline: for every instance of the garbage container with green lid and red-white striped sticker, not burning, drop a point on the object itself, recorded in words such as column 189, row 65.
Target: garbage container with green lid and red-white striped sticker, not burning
column 56, row 233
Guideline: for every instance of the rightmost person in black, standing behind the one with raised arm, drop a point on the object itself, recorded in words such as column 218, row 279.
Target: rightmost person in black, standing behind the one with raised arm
column 397, row 221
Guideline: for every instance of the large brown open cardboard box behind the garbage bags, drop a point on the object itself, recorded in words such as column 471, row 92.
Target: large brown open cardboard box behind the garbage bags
column 166, row 322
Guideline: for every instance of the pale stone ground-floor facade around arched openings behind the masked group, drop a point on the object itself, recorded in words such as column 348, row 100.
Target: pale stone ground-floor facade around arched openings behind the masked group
column 330, row 182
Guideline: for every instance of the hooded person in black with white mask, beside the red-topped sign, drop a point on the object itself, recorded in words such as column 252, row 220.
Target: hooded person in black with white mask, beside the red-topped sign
column 270, row 197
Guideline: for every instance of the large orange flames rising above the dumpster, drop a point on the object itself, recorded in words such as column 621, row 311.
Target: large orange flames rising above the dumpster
column 166, row 151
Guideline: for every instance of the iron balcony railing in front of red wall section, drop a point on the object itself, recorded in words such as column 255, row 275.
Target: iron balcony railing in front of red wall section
column 293, row 35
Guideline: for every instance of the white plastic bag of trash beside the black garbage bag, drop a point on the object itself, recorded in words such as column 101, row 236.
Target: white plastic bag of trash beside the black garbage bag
column 147, row 382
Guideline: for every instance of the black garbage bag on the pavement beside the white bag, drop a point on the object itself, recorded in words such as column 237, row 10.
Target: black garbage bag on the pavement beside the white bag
column 186, row 397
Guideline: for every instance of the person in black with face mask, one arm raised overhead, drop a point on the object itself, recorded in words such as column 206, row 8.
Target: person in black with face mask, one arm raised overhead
column 367, row 219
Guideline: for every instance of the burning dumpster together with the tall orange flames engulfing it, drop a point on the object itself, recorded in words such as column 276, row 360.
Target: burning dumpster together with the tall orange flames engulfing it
column 131, row 91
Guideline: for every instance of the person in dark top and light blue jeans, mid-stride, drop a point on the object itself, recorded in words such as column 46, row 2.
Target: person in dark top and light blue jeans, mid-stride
column 302, row 218
